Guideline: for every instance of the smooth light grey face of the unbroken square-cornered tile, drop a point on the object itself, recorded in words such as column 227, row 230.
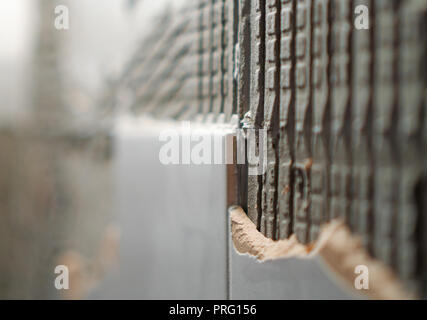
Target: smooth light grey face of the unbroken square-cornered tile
column 173, row 224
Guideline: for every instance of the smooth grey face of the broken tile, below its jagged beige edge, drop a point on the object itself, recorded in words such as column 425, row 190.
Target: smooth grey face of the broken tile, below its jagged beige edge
column 291, row 278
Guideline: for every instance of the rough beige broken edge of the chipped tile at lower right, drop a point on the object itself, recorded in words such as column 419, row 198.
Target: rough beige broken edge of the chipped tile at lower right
column 338, row 248
